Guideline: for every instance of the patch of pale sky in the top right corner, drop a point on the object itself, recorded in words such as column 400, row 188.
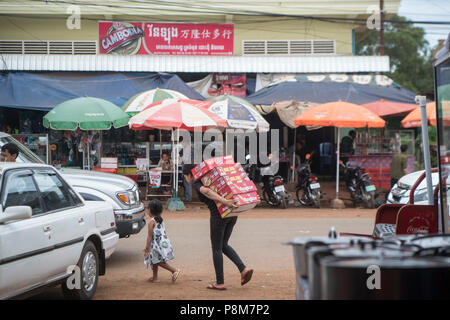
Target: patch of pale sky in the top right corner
column 428, row 10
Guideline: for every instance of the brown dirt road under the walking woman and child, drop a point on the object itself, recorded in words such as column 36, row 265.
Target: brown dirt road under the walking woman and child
column 258, row 238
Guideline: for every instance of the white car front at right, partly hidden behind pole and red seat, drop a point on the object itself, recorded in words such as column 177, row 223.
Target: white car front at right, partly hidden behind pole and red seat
column 401, row 190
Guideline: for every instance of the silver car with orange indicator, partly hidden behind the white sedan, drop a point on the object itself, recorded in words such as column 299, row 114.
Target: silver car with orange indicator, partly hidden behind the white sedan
column 121, row 192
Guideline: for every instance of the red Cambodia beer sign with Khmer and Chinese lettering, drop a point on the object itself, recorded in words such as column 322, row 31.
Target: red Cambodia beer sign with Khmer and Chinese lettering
column 129, row 38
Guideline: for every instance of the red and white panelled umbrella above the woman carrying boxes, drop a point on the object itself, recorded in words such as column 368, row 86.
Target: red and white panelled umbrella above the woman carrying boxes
column 176, row 113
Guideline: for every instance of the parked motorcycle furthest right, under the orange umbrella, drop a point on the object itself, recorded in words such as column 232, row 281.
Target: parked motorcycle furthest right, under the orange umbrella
column 360, row 185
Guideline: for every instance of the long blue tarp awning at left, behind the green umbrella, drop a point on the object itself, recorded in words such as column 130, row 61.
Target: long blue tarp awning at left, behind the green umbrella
column 43, row 91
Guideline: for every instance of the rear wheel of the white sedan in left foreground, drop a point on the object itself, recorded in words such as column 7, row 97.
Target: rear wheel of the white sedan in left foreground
column 89, row 266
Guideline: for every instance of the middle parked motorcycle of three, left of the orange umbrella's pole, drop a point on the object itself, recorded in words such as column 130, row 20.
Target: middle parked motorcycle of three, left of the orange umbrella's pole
column 308, row 188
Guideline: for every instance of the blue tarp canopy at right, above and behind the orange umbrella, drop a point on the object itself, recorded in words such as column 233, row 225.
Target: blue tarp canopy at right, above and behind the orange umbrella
column 319, row 89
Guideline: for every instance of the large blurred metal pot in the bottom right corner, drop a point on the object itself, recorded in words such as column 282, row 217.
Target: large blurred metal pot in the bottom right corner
column 399, row 278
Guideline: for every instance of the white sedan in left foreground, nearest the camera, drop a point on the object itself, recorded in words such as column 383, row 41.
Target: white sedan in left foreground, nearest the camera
column 49, row 234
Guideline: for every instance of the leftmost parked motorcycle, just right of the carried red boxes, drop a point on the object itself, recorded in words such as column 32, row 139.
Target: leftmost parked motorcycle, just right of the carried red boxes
column 274, row 192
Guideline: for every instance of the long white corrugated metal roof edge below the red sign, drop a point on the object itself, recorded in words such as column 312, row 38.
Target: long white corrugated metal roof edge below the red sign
column 237, row 64
